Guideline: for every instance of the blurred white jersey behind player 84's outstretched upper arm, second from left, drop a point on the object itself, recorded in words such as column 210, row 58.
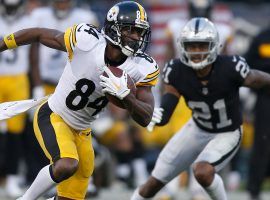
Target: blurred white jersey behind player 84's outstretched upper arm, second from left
column 52, row 62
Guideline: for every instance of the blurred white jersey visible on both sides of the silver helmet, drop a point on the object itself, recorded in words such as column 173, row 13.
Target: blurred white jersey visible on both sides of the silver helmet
column 175, row 26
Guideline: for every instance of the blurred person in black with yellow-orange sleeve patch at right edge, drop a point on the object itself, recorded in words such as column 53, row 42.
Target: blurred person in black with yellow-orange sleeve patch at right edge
column 258, row 55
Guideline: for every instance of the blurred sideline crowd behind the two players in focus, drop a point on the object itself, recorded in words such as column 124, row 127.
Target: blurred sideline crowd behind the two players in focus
column 125, row 151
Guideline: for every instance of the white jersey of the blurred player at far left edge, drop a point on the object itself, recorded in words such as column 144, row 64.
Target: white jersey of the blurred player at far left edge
column 16, row 61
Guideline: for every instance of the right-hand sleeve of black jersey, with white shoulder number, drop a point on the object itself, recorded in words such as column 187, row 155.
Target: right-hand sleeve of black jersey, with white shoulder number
column 239, row 70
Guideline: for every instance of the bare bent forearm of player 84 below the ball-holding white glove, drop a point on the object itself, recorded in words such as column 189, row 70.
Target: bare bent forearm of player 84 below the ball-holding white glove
column 140, row 111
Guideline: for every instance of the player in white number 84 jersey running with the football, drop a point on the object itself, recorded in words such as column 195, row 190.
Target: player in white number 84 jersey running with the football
column 62, row 125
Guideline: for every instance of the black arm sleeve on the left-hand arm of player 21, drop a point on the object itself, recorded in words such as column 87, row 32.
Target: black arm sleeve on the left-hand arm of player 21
column 168, row 103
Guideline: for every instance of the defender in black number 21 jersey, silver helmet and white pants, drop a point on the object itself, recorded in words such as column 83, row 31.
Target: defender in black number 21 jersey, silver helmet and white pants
column 210, row 86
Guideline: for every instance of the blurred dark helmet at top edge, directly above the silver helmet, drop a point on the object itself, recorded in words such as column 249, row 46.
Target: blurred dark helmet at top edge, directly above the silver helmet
column 200, row 8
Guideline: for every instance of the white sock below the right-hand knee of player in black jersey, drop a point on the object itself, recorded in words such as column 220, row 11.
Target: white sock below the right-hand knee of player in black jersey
column 217, row 190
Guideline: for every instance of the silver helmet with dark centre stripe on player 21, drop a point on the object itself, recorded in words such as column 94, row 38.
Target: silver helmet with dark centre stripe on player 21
column 199, row 30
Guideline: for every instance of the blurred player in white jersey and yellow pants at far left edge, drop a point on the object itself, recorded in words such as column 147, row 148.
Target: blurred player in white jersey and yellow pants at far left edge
column 14, row 85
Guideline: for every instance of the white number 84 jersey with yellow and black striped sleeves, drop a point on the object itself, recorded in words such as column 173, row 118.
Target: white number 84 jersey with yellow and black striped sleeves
column 78, row 97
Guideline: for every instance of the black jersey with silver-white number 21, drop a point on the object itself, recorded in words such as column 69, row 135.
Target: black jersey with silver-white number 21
column 215, row 106
